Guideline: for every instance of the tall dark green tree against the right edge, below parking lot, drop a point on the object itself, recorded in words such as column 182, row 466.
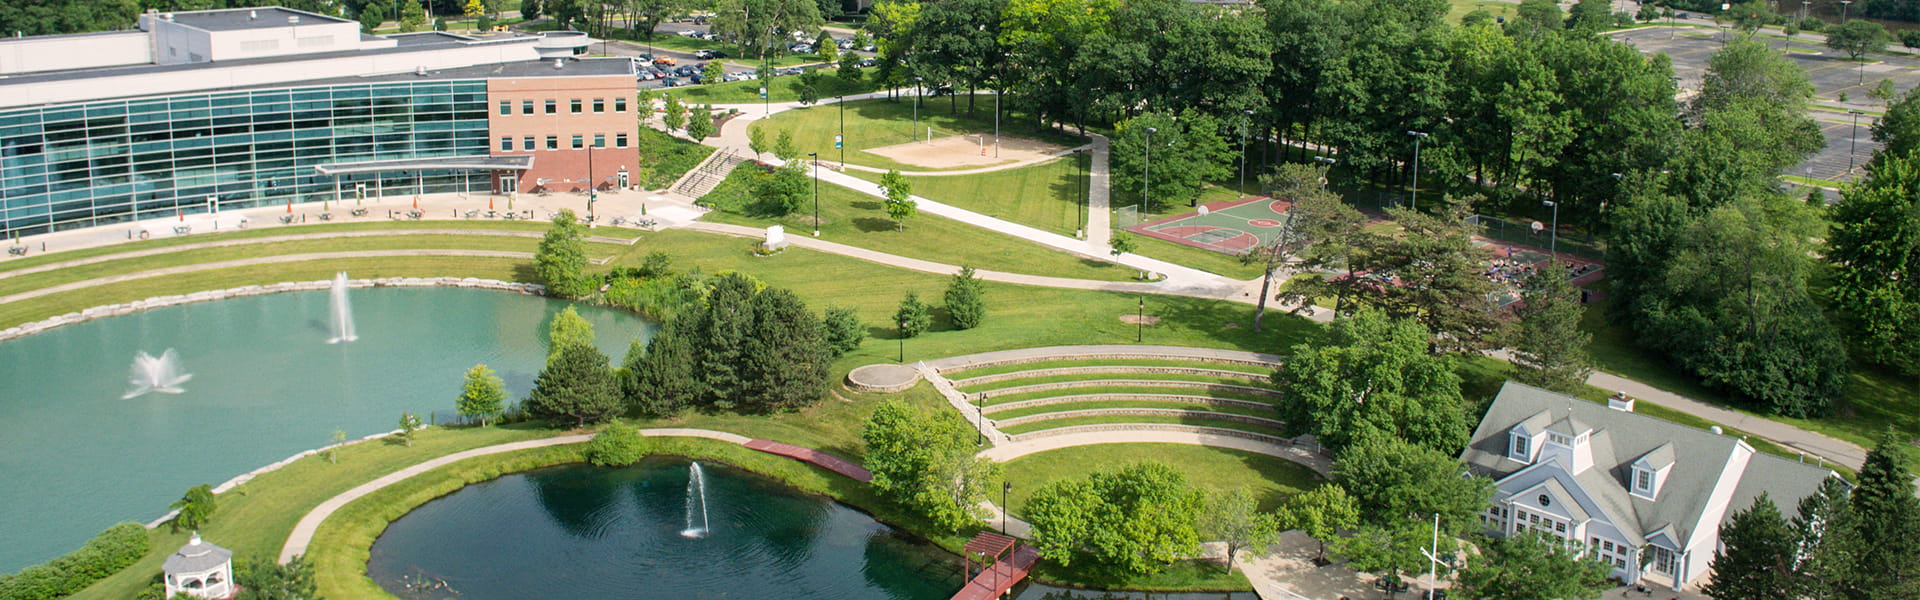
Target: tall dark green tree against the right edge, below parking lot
column 1875, row 253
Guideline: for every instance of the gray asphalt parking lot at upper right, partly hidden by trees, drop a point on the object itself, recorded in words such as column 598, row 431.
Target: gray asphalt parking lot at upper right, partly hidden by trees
column 1831, row 74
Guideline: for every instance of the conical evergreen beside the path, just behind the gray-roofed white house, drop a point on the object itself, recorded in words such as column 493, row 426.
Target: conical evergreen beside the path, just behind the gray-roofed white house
column 1548, row 345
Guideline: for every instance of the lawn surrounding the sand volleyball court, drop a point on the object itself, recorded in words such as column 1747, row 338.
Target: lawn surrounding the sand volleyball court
column 875, row 124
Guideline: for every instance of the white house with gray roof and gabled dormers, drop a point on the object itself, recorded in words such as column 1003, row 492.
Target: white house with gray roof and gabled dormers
column 1641, row 493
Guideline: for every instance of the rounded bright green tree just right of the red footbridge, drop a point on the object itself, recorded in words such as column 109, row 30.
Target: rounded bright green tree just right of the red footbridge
column 1130, row 520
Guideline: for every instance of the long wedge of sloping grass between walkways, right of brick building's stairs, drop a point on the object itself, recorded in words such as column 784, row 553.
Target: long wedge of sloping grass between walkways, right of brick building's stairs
column 861, row 220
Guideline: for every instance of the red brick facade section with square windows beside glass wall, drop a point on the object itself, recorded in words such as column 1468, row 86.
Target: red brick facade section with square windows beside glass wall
column 564, row 118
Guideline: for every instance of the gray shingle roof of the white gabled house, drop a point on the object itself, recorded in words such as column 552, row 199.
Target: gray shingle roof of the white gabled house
column 1620, row 439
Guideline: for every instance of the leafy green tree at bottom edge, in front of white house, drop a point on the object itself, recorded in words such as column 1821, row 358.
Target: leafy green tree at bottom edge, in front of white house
column 1533, row 566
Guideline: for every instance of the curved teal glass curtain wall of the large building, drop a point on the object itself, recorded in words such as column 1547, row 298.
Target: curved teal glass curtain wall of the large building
column 124, row 161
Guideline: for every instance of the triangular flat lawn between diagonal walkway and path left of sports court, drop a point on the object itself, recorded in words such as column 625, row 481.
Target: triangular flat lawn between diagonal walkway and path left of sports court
column 1049, row 195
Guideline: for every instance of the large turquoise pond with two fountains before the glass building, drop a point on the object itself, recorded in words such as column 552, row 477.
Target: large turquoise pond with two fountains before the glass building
column 76, row 459
